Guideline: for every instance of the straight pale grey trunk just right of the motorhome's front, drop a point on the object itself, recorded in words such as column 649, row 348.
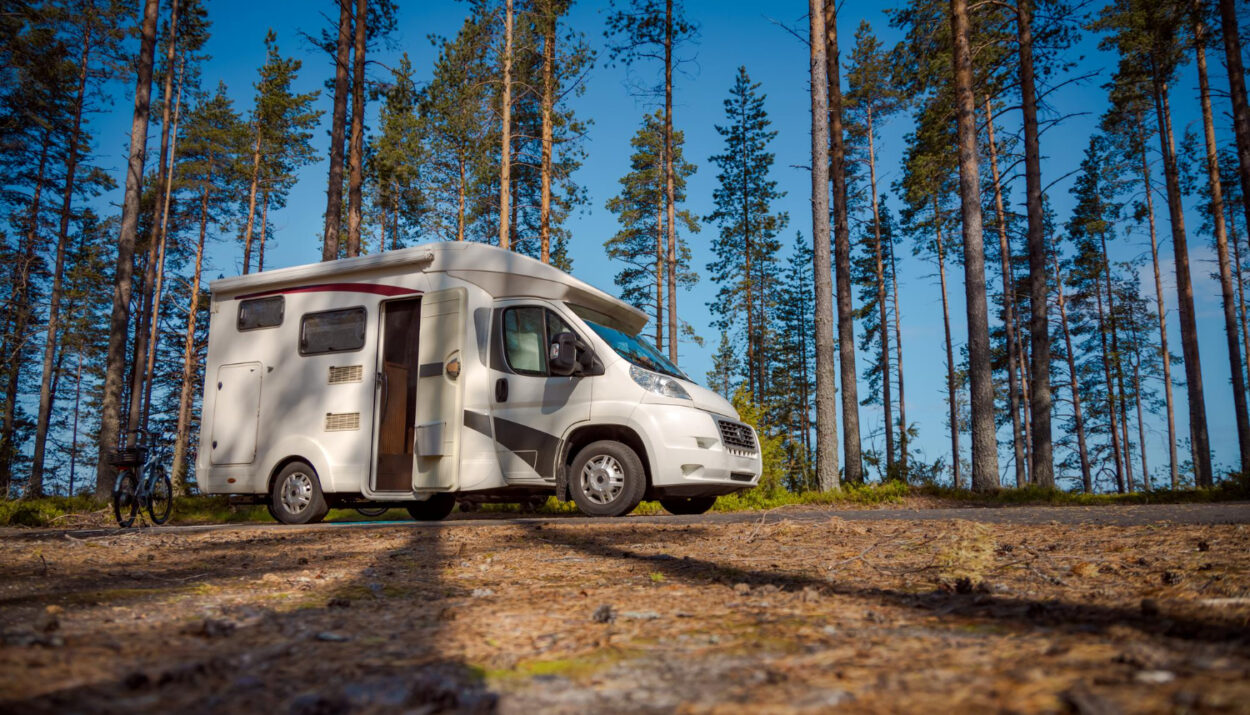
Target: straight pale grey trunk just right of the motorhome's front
column 827, row 412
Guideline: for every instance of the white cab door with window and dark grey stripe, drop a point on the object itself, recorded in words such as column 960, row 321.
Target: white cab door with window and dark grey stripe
column 532, row 409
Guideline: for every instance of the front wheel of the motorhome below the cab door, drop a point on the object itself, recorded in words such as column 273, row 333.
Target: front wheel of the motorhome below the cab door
column 607, row 479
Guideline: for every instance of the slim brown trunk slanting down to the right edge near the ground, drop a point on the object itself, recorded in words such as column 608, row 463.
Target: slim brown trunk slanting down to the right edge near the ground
column 1222, row 243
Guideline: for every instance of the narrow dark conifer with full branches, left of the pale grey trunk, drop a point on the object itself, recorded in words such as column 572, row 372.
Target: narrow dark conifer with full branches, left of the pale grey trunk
column 747, row 247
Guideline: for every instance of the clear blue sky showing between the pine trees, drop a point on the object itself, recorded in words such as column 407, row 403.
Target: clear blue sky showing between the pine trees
column 732, row 34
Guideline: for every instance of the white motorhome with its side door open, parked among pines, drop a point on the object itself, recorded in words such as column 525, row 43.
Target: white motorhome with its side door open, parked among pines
column 448, row 372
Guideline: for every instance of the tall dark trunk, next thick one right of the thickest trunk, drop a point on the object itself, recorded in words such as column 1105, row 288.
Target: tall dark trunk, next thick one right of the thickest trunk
column 1043, row 466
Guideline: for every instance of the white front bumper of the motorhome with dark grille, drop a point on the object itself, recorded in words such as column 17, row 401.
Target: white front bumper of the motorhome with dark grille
column 694, row 456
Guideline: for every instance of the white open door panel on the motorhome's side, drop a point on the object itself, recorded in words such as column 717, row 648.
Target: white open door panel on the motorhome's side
column 439, row 412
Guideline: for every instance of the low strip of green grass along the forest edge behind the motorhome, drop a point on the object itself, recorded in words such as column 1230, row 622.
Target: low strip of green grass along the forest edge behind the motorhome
column 71, row 512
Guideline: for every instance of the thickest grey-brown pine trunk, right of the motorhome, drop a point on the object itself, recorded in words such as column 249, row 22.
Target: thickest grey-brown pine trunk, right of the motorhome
column 986, row 458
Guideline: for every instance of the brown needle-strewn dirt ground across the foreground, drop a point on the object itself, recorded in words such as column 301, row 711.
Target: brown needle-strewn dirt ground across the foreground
column 777, row 613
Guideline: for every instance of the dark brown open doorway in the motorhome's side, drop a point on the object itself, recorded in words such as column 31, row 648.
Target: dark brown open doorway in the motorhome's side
column 397, row 411
